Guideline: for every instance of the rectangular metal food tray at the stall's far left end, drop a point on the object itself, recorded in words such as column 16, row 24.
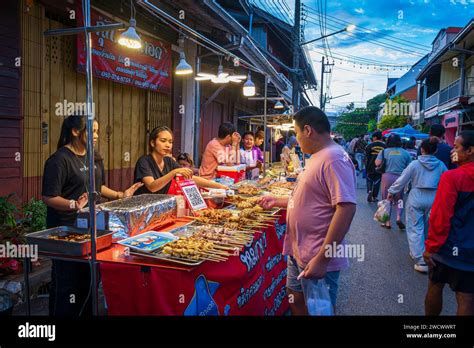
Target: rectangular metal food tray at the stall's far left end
column 40, row 238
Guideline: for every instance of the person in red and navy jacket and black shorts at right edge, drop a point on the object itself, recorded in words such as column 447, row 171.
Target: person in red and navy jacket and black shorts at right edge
column 450, row 243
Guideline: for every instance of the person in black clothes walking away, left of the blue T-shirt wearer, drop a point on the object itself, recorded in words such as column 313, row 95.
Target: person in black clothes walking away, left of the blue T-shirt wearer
column 373, row 177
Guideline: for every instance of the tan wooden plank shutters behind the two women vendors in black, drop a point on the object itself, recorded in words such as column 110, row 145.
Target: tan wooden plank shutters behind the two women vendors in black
column 125, row 114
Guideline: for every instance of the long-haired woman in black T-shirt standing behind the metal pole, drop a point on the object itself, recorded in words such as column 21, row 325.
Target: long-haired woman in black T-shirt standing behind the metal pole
column 65, row 185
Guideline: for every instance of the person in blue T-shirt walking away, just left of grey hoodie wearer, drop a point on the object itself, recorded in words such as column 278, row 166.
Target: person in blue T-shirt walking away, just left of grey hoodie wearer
column 396, row 160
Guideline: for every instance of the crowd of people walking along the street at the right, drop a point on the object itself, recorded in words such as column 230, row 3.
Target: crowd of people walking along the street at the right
column 438, row 183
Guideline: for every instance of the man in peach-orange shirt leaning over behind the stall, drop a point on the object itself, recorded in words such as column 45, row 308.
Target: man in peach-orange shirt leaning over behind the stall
column 219, row 151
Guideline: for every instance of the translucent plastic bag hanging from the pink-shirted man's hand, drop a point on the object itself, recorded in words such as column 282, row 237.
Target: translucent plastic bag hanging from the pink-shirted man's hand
column 318, row 300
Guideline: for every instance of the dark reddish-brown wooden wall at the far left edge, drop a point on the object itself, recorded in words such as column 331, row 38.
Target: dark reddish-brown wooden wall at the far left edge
column 10, row 96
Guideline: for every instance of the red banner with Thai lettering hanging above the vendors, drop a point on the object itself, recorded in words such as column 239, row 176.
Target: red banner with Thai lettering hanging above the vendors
column 148, row 67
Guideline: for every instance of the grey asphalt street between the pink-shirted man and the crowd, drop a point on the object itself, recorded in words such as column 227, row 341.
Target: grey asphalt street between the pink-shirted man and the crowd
column 384, row 283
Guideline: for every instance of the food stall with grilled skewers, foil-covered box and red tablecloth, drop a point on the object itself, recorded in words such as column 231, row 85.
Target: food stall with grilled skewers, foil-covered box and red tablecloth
column 216, row 262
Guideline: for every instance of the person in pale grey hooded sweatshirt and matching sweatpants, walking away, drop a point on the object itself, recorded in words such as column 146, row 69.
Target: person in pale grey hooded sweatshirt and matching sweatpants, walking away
column 424, row 175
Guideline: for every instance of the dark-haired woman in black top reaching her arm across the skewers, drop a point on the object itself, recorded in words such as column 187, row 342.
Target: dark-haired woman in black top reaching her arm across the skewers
column 157, row 170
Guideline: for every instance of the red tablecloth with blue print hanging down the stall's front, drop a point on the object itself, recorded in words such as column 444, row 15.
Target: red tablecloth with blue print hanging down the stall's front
column 252, row 283
